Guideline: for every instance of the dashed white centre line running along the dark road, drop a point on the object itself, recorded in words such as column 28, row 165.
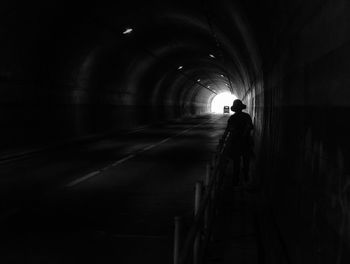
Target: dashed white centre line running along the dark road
column 92, row 174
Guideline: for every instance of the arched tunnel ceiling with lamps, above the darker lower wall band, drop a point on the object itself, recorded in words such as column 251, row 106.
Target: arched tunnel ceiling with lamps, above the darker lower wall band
column 78, row 49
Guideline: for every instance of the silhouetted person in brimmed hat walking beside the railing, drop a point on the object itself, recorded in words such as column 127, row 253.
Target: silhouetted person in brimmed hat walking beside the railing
column 239, row 142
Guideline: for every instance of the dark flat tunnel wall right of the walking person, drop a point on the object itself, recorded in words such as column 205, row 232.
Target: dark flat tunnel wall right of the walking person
column 305, row 157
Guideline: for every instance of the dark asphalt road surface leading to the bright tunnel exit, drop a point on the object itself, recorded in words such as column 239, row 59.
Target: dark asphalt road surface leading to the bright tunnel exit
column 108, row 201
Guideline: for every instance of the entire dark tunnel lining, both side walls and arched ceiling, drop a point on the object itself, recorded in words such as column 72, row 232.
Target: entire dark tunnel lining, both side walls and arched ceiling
column 288, row 61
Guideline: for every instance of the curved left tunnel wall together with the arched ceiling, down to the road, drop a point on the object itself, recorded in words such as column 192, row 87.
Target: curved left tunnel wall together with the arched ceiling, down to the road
column 68, row 71
